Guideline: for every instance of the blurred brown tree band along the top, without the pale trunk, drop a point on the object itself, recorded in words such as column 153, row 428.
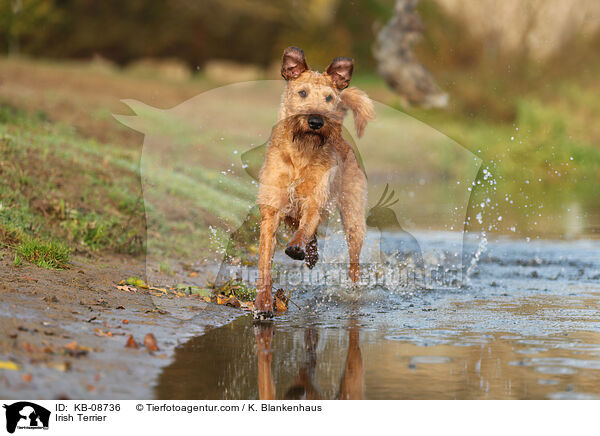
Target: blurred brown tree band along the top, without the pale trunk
column 255, row 31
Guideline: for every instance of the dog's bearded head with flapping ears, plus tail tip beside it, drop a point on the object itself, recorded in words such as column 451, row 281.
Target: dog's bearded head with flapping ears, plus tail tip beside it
column 316, row 103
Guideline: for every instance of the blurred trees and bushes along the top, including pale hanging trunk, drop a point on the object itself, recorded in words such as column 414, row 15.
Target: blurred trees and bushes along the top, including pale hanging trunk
column 520, row 38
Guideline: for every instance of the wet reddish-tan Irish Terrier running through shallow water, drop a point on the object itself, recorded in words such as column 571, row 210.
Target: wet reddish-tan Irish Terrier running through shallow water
column 309, row 169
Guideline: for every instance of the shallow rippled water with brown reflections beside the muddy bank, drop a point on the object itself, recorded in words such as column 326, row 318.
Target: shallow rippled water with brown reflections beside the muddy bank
column 527, row 326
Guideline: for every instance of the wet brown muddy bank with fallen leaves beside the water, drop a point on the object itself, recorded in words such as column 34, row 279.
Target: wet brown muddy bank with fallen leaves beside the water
column 66, row 331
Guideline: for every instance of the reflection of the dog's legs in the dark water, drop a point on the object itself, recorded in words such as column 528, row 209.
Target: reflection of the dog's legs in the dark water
column 303, row 387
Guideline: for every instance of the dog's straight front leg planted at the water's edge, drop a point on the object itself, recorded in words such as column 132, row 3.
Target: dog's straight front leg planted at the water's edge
column 269, row 222
